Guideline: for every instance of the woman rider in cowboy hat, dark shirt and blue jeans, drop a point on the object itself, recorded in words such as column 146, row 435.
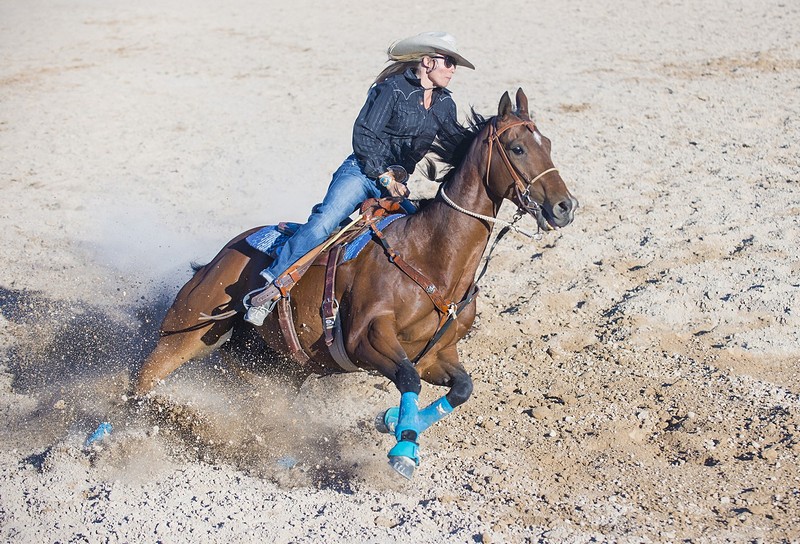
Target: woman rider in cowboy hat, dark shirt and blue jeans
column 407, row 107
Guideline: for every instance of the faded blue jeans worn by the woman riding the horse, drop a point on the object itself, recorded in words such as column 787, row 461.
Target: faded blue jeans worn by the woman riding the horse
column 349, row 187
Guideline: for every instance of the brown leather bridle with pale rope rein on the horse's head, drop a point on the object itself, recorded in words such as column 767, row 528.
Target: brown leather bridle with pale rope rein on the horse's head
column 525, row 204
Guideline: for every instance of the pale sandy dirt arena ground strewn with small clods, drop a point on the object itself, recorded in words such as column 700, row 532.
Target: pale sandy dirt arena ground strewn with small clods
column 636, row 374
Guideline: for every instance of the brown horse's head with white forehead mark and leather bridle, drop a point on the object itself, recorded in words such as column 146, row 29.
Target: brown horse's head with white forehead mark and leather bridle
column 520, row 167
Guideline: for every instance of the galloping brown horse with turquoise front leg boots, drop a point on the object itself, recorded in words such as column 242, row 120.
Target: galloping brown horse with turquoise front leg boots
column 387, row 320
